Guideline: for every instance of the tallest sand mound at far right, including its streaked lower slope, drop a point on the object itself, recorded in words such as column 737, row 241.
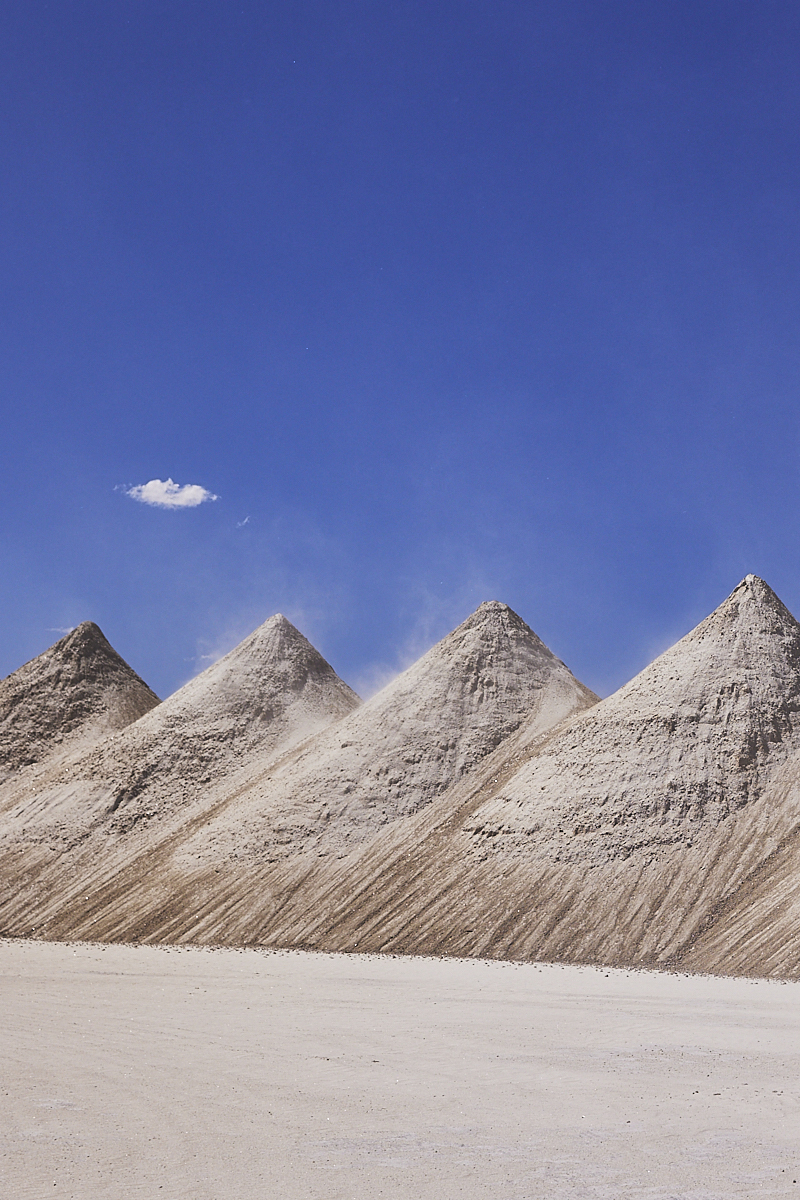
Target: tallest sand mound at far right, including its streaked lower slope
column 635, row 833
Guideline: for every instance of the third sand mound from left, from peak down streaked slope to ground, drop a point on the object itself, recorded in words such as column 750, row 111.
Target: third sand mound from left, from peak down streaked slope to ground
column 376, row 767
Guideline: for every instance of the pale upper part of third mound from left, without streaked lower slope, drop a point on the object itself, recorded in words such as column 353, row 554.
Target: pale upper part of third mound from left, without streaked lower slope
column 408, row 745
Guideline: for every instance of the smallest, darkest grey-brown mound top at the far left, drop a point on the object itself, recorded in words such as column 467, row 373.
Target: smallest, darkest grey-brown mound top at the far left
column 76, row 692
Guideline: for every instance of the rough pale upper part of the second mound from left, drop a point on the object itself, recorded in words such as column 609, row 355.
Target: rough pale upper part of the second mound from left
column 272, row 692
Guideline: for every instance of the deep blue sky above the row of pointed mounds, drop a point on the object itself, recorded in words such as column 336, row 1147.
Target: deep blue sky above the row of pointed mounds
column 443, row 302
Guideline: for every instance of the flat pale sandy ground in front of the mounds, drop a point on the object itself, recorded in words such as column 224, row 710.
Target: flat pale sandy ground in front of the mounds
column 207, row 1075
